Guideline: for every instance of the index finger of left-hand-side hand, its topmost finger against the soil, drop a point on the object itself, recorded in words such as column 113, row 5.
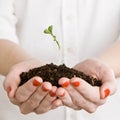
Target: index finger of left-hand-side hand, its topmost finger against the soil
column 27, row 89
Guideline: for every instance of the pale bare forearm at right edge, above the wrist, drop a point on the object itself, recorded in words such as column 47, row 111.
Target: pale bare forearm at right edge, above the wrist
column 112, row 57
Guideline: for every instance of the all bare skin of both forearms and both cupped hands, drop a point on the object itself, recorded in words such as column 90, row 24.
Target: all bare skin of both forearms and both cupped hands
column 104, row 68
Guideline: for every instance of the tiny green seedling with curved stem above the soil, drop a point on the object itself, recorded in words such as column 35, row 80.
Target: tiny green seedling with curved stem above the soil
column 49, row 31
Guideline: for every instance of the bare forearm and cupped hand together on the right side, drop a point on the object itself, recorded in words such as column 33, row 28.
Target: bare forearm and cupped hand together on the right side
column 105, row 67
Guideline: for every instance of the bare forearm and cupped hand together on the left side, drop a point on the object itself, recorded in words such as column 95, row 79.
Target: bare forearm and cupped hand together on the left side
column 32, row 96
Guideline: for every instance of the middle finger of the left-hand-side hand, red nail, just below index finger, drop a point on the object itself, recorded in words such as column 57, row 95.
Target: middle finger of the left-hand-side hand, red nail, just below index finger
column 35, row 100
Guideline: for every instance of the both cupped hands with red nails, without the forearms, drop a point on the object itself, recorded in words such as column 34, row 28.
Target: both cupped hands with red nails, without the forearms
column 40, row 97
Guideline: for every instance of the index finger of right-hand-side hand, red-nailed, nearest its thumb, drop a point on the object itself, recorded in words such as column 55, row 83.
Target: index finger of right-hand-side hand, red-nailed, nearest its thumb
column 86, row 90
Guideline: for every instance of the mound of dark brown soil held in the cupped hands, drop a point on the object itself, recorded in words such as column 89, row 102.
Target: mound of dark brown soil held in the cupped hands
column 52, row 73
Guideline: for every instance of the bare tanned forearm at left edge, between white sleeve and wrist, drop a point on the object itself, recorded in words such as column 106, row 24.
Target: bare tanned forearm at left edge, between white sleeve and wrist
column 10, row 54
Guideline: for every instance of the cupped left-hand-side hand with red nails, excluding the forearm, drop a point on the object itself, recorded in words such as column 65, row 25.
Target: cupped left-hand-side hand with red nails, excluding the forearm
column 33, row 96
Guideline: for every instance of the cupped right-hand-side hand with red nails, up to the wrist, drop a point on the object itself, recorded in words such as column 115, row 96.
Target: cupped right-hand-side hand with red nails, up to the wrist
column 78, row 94
